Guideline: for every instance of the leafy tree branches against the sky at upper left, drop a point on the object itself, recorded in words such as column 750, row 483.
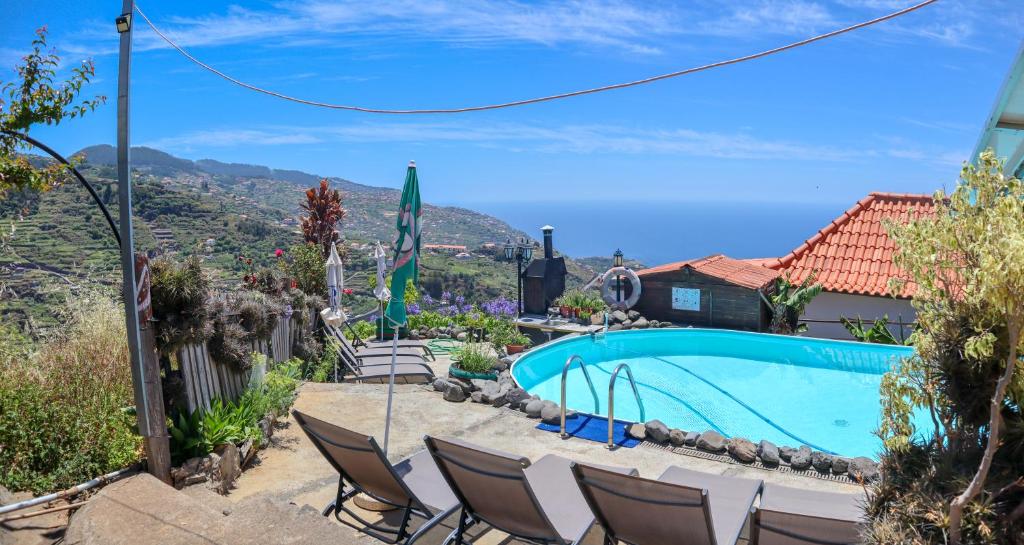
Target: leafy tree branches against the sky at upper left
column 37, row 99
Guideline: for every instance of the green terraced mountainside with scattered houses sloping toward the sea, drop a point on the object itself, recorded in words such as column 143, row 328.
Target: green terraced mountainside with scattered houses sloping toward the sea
column 60, row 243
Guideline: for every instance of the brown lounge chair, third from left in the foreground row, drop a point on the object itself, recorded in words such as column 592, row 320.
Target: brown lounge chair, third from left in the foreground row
column 681, row 507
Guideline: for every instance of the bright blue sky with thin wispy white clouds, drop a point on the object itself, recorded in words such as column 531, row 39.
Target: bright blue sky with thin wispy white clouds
column 893, row 108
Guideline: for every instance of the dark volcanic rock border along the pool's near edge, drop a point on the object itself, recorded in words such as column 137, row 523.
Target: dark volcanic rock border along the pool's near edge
column 505, row 393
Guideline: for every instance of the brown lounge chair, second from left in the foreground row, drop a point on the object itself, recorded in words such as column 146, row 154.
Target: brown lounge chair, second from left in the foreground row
column 536, row 502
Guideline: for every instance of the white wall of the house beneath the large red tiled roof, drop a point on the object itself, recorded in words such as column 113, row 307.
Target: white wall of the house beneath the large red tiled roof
column 829, row 306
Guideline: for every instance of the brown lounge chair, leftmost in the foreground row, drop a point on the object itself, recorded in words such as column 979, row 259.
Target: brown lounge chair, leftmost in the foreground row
column 414, row 485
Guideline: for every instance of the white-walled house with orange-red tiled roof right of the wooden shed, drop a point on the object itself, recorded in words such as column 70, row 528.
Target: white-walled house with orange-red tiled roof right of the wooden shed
column 852, row 259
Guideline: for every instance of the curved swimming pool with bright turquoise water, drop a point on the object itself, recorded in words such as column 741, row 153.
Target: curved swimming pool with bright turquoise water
column 790, row 391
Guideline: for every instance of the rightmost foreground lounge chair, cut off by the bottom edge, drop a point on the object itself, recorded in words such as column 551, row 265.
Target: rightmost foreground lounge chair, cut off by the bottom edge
column 794, row 517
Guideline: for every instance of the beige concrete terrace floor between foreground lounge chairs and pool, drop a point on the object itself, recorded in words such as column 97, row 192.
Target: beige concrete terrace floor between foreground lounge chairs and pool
column 291, row 471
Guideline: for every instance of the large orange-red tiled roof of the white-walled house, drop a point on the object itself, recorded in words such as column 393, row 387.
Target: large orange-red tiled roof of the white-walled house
column 854, row 255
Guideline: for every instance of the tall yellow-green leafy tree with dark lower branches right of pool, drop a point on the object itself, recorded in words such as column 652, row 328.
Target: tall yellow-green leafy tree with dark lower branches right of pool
column 962, row 481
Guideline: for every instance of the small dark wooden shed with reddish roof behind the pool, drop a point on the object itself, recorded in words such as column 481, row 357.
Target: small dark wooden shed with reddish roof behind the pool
column 715, row 292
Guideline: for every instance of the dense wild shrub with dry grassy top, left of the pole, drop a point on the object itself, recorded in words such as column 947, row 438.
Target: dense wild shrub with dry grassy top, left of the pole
column 63, row 417
